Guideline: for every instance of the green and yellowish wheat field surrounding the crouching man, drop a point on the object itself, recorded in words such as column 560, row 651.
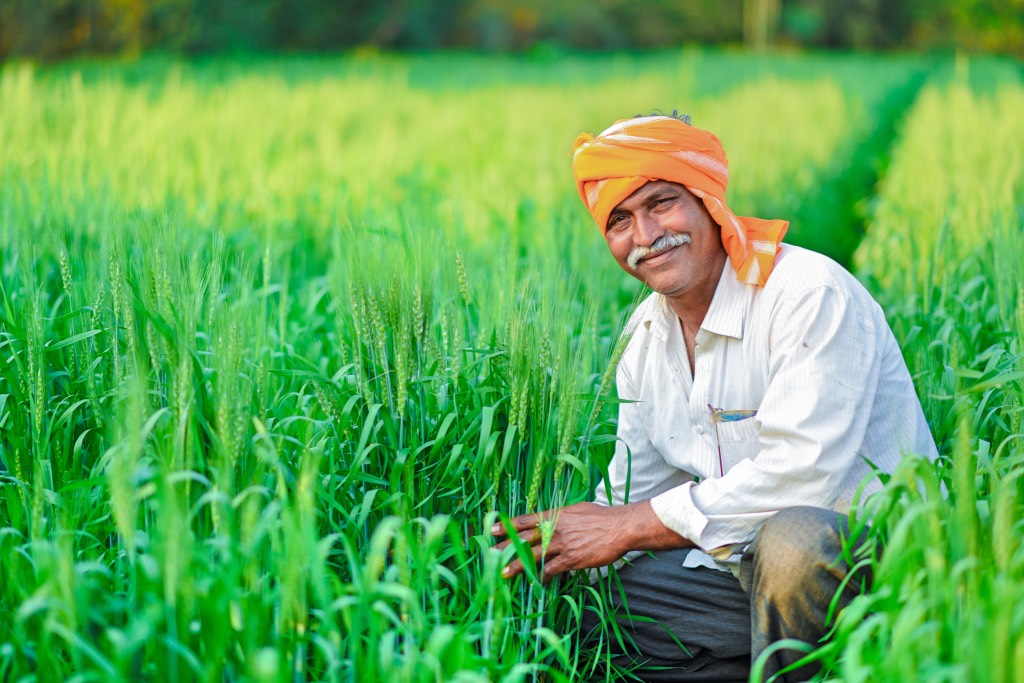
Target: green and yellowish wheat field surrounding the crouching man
column 281, row 338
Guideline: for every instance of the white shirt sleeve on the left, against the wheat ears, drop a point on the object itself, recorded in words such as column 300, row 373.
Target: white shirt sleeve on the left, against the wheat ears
column 637, row 472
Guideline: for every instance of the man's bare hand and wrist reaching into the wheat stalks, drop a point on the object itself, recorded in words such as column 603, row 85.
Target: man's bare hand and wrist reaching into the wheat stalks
column 587, row 535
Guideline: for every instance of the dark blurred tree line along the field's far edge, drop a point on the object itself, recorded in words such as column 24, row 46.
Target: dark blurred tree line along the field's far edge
column 57, row 29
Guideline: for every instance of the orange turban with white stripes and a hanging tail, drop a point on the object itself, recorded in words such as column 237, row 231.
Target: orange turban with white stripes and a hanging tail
column 617, row 163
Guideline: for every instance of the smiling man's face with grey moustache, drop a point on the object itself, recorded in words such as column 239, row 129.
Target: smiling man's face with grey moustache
column 663, row 236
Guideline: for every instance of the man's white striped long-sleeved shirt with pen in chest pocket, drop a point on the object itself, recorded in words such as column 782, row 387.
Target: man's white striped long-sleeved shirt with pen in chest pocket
column 813, row 353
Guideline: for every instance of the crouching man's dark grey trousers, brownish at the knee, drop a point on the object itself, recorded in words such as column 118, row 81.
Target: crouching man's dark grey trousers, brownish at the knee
column 696, row 625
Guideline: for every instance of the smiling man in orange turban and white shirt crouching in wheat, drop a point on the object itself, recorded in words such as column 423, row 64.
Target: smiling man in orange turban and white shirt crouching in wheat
column 763, row 383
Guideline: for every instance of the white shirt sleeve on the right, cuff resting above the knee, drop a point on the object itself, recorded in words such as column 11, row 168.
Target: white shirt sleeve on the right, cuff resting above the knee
column 824, row 370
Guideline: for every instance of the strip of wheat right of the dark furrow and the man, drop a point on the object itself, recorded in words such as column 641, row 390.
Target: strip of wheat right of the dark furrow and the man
column 944, row 255
